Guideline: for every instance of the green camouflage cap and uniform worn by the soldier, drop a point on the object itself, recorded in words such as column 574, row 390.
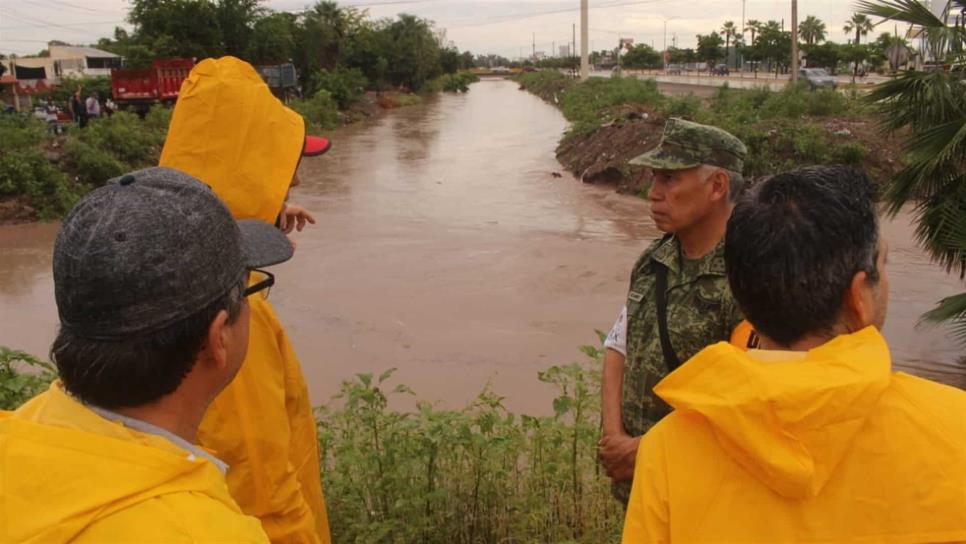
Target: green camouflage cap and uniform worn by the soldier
column 700, row 308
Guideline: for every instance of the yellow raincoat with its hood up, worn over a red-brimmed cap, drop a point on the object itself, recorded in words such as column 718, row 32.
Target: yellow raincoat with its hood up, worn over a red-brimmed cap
column 230, row 132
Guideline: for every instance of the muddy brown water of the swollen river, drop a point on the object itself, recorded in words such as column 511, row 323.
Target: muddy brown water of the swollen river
column 446, row 248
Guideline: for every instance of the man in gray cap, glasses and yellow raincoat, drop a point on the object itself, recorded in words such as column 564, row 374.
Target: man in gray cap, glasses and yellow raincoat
column 150, row 276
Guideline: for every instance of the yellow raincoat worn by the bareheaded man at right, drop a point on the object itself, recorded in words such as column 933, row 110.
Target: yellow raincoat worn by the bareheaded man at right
column 828, row 446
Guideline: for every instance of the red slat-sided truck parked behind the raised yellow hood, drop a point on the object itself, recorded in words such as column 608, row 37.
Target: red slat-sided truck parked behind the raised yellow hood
column 140, row 88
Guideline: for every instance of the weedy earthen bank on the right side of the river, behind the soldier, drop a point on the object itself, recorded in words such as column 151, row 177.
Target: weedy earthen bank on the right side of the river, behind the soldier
column 613, row 120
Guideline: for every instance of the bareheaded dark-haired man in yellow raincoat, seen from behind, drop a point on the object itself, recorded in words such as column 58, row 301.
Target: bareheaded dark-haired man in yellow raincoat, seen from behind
column 811, row 438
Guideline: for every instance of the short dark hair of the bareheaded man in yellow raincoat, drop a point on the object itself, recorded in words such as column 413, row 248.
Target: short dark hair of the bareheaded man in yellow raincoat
column 793, row 245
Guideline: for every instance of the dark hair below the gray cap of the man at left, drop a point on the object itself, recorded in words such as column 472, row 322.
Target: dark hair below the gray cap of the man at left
column 142, row 368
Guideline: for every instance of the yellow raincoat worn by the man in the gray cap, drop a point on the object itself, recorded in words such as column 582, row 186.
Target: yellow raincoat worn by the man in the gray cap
column 67, row 474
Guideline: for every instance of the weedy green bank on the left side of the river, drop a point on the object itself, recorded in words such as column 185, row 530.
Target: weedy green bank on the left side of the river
column 44, row 172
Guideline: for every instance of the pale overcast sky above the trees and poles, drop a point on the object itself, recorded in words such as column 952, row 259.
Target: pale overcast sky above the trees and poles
column 505, row 27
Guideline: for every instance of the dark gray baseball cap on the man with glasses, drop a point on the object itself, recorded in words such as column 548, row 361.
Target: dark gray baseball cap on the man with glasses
column 152, row 248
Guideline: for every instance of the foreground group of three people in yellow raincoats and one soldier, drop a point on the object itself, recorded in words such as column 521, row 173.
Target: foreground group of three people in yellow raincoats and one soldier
column 747, row 391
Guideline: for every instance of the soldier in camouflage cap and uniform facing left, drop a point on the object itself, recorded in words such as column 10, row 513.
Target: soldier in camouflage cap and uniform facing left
column 679, row 300
